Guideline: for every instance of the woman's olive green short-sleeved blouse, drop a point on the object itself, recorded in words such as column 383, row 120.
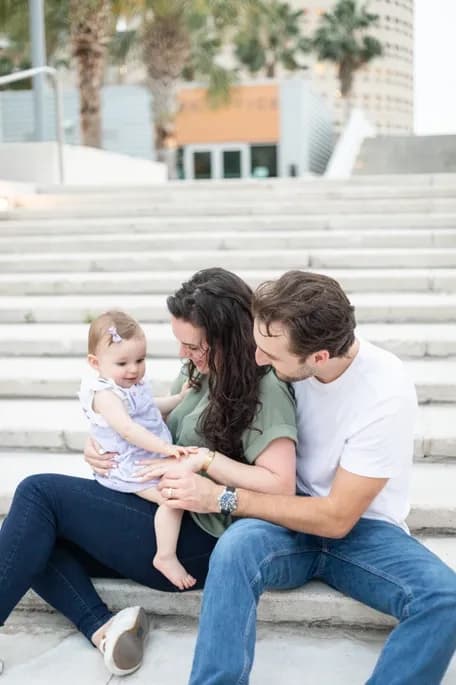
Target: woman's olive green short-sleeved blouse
column 275, row 418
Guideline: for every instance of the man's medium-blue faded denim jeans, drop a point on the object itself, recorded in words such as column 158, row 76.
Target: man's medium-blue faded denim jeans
column 376, row 563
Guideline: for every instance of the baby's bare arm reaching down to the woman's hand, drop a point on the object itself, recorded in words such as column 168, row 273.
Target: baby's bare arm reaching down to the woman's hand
column 113, row 411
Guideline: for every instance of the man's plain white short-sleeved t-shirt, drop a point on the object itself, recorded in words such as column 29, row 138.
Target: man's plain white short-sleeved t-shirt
column 364, row 422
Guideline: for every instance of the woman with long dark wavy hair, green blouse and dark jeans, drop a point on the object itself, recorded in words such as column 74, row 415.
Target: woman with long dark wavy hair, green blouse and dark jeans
column 61, row 531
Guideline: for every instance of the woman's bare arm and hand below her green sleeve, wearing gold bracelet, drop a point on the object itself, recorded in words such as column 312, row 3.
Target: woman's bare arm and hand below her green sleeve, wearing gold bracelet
column 274, row 470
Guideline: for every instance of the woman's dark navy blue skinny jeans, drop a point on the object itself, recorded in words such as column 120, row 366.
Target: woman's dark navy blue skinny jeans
column 61, row 531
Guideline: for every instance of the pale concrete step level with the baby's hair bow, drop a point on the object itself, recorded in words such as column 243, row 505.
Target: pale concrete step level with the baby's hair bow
column 70, row 340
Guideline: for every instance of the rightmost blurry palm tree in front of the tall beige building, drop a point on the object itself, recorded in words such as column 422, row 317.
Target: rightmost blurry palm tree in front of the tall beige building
column 341, row 39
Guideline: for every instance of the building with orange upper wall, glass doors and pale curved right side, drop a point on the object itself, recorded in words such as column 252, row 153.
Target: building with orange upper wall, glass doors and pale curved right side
column 269, row 128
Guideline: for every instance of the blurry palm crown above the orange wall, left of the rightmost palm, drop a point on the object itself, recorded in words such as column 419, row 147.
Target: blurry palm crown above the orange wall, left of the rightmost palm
column 270, row 36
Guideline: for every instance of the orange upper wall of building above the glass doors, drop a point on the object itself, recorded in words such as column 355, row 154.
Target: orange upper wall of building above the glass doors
column 252, row 116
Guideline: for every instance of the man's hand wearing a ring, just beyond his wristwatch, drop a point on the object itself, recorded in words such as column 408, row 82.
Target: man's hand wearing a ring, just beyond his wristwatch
column 191, row 492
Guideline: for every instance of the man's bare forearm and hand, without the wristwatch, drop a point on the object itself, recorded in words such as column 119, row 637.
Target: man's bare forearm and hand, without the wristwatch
column 332, row 516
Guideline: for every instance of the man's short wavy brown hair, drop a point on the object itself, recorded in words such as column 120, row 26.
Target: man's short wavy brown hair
column 314, row 310
